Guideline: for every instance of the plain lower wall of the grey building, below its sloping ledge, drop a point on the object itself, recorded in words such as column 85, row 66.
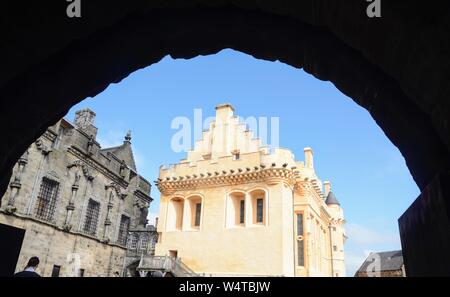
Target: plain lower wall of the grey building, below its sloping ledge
column 54, row 246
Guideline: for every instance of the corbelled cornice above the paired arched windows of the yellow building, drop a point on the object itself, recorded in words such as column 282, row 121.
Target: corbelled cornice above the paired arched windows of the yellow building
column 269, row 176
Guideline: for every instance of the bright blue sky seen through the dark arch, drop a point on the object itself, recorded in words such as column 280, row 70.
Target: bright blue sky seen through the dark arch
column 368, row 174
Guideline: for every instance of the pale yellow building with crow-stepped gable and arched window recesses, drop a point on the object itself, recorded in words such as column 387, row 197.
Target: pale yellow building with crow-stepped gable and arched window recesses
column 232, row 208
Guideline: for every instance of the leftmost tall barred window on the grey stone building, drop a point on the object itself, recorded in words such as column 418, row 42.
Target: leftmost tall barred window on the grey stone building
column 46, row 200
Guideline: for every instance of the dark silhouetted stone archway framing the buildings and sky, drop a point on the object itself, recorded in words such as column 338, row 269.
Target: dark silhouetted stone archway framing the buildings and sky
column 47, row 67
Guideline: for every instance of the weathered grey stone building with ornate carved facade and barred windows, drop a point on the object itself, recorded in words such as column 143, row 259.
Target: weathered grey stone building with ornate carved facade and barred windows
column 76, row 201
